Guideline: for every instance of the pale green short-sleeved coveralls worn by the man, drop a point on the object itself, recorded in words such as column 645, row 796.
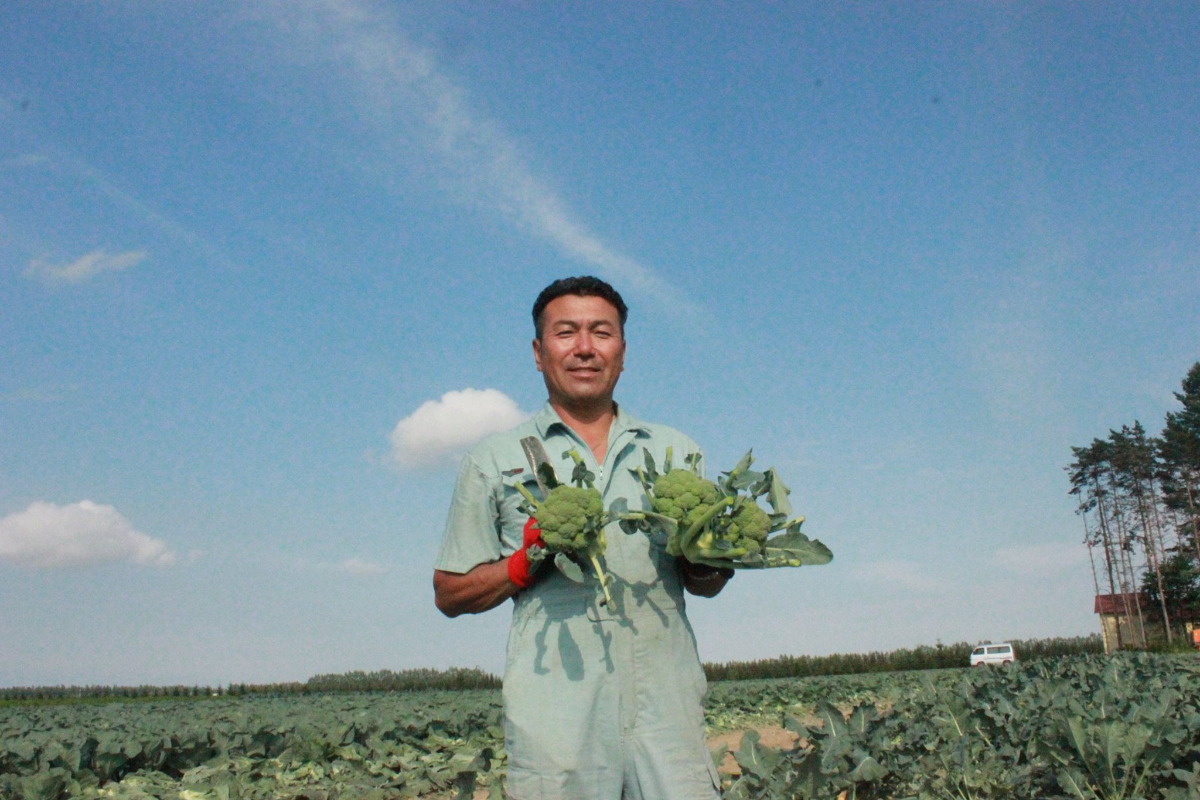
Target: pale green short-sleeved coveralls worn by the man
column 599, row 702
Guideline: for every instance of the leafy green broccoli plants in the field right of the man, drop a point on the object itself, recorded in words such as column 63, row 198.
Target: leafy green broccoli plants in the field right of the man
column 1085, row 727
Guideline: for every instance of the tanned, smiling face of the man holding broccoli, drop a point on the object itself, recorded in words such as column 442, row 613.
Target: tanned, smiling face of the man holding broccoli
column 581, row 351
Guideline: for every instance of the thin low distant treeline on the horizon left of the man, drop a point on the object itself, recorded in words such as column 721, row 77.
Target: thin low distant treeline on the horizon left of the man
column 407, row 681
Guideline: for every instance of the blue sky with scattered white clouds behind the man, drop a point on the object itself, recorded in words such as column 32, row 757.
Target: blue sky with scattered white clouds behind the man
column 254, row 257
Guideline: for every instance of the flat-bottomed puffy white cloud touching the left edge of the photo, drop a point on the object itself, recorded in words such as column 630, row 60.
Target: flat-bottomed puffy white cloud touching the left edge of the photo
column 49, row 536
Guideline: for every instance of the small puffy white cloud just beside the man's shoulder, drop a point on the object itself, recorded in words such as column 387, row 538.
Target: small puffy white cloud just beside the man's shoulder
column 447, row 428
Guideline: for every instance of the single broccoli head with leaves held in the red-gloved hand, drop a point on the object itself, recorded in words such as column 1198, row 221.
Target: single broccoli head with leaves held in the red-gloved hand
column 572, row 520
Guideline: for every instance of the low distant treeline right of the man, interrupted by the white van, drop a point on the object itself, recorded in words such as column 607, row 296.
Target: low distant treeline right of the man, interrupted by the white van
column 940, row 657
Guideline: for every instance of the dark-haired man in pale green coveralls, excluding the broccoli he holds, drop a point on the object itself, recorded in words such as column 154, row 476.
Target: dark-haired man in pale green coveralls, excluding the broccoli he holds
column 601, row 701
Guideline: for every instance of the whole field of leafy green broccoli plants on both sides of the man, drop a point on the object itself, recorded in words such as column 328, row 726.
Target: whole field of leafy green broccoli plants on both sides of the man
column 1085, row 727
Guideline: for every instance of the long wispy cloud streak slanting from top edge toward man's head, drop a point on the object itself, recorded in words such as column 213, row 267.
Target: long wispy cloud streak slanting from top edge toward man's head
column 399, row 83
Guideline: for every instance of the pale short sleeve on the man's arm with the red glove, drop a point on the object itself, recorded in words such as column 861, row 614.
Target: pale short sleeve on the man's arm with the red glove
column 472, row 536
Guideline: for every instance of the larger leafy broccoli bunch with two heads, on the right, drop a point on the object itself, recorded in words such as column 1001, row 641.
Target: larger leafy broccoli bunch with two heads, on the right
column 722, row 524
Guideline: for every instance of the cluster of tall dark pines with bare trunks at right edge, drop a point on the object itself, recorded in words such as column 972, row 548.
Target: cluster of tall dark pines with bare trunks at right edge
column 1139, row 498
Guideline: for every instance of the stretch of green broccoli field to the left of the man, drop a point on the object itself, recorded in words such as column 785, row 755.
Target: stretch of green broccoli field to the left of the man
column 353, row 745
